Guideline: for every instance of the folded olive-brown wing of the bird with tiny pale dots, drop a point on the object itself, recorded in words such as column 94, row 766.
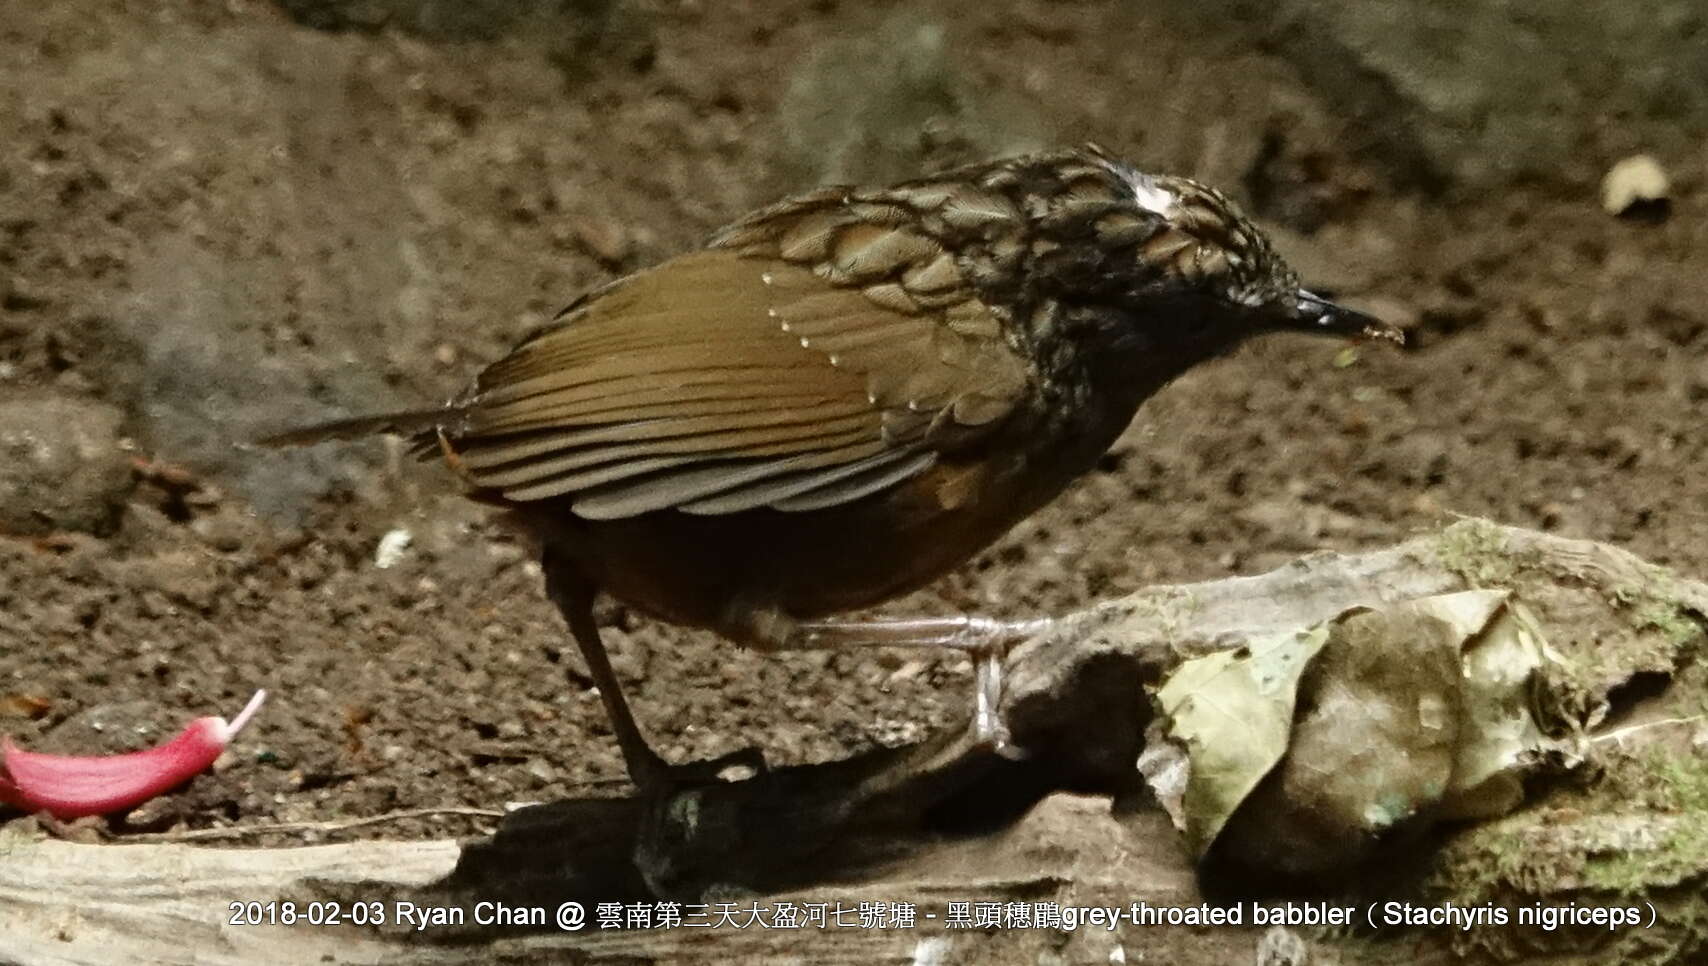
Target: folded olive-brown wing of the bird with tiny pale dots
column 744, row 378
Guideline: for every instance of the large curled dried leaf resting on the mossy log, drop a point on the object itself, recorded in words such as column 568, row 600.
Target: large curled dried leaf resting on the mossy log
column 1301, row 752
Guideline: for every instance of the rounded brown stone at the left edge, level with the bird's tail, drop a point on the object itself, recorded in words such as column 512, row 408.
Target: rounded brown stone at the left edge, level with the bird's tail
column 62, row 467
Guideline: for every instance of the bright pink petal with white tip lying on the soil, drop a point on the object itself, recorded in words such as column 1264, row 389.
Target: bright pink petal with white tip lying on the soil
column 71, row 786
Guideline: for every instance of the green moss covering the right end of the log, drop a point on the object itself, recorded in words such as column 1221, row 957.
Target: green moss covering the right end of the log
column 1630, row 830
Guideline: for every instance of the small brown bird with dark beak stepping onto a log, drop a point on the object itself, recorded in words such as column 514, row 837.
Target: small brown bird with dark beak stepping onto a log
column 850, row 393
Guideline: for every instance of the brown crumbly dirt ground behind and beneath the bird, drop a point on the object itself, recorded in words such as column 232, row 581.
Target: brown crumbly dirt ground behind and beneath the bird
column 221, row 219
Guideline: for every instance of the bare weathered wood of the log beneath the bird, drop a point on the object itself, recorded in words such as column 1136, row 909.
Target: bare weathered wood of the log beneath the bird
column 925, row 825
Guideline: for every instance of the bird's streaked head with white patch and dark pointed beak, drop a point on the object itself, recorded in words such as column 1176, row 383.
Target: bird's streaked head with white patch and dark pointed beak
column 1210, row 252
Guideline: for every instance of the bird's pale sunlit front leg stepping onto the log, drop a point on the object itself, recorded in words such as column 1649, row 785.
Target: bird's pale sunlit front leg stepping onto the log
column 985, row 639
